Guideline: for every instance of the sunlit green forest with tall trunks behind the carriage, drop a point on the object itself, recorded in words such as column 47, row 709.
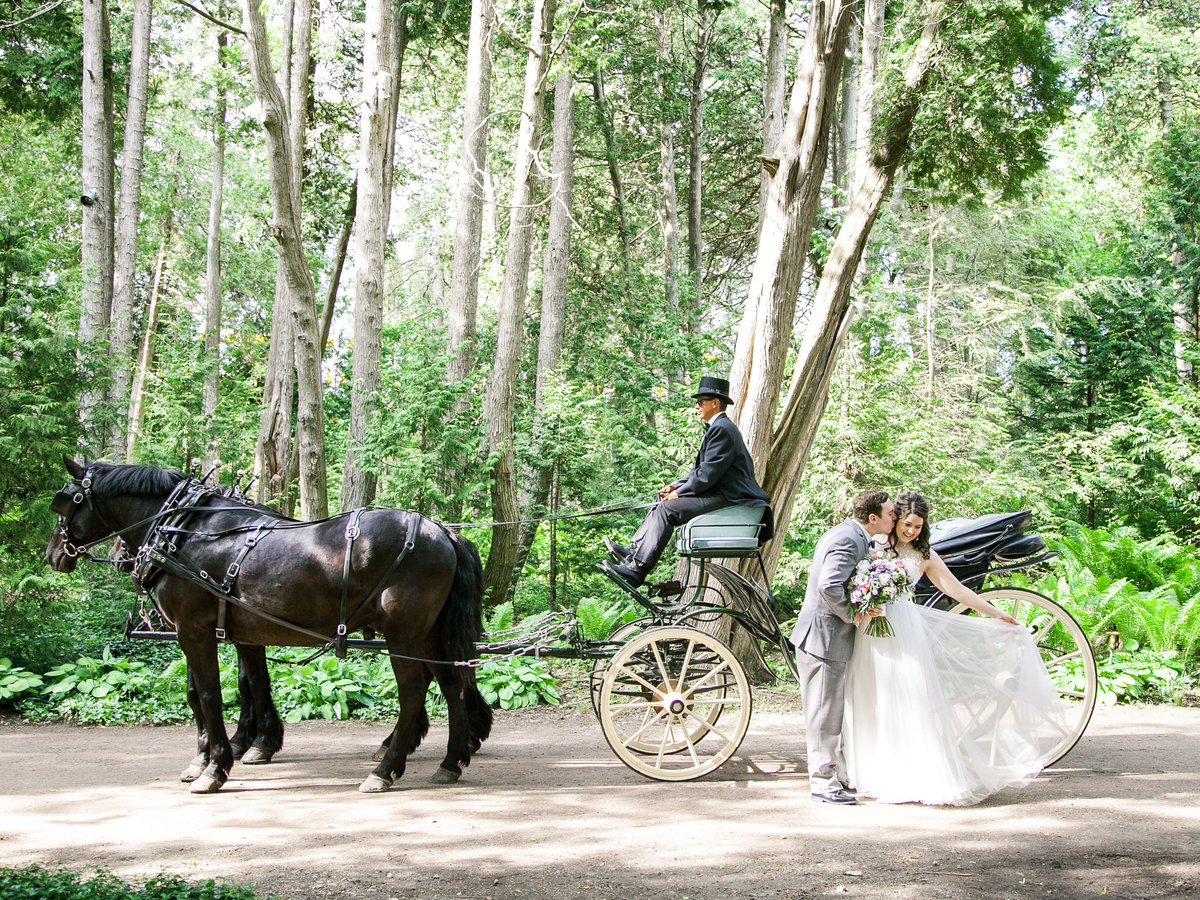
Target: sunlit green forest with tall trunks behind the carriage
column 471, row 259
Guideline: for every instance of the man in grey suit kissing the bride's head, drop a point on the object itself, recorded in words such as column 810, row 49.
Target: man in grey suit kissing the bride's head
column 825, row 638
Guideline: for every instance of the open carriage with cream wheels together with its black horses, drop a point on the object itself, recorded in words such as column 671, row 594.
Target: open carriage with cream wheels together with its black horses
column 673, row 699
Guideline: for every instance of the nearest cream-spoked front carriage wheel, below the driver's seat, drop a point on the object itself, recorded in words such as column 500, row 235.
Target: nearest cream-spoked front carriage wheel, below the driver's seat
column 661, row 700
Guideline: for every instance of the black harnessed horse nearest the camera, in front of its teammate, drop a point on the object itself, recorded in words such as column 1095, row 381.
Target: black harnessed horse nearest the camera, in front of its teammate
column 220, row 569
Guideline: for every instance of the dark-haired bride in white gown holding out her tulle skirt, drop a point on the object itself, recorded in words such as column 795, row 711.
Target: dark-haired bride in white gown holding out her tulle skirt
column 951, row 709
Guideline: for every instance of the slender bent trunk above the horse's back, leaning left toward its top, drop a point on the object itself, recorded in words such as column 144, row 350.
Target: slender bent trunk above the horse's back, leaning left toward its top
column 287, row 231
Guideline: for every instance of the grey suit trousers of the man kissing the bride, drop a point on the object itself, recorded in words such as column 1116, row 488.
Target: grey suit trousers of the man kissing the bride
column 824, row 695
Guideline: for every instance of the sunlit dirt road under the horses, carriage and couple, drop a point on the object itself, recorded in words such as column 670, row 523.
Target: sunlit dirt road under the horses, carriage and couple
column 549, row 812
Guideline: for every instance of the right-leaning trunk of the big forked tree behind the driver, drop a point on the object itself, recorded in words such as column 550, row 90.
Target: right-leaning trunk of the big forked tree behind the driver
column 832, row 313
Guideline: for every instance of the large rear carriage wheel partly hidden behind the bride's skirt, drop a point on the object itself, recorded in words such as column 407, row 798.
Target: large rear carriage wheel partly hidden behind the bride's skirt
column 1065, row 650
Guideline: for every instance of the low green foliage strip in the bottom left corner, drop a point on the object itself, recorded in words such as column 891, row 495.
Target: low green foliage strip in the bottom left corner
column 38, row 884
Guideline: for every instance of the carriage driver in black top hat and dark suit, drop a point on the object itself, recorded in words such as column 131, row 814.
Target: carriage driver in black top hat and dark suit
column 723, row 477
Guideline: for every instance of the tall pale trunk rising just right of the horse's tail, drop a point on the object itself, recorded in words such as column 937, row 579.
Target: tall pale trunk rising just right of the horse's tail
column 500, row 405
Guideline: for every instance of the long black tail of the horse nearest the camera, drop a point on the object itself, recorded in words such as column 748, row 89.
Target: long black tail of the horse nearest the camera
column 463, row 626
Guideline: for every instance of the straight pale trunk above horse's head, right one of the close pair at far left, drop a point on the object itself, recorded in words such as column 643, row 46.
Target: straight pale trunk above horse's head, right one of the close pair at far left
column 121, row 345
